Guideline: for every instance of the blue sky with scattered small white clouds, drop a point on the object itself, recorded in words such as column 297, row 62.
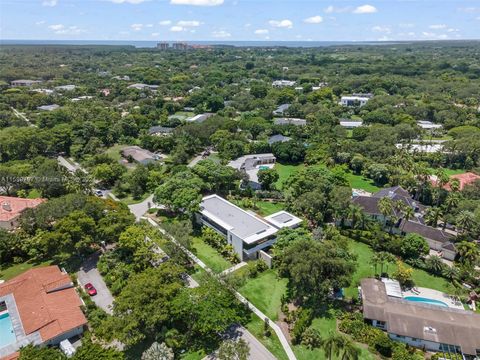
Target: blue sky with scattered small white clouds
column 231, row 20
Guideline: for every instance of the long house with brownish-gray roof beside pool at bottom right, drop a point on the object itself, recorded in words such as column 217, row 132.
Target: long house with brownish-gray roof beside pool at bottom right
column 432, row 327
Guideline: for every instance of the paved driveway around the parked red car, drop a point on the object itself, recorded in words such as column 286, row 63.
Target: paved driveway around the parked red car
column 89, row 274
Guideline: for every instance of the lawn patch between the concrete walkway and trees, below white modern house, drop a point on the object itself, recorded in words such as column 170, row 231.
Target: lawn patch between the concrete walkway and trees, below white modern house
column 265, row 292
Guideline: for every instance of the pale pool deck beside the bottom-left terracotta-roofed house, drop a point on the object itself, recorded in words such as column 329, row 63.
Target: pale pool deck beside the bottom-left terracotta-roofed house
column 22, row 338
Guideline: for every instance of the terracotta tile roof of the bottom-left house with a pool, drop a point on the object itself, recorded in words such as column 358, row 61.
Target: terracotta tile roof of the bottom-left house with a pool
column 46, row 300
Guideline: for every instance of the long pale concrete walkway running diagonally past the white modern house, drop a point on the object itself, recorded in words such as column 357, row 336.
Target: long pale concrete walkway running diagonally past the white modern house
column 240, row 297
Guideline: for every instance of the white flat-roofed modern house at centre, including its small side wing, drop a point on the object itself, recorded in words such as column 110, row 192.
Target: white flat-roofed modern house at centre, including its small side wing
column 247, row 233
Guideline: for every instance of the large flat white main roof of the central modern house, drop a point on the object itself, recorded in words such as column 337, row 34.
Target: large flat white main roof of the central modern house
column 236, row 220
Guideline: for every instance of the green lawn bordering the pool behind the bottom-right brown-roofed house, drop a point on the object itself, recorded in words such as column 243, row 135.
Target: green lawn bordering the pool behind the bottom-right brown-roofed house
column 365, row 269
